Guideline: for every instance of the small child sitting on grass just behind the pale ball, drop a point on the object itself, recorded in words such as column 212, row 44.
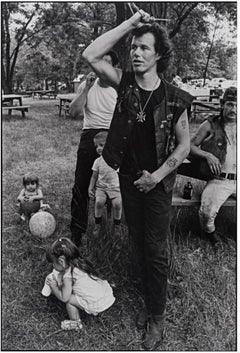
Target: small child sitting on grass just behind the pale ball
column 30, row 199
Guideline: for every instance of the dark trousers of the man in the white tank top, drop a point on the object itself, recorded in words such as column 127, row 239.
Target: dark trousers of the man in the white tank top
column 86, row 155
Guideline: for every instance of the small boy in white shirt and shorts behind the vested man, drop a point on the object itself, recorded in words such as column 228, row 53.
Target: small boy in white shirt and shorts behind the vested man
column 106, row 182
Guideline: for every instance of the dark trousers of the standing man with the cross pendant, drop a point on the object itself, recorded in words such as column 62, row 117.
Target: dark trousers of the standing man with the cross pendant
column 148, row 219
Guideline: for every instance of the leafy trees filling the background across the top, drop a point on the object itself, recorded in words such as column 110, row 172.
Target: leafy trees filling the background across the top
column 51, row 37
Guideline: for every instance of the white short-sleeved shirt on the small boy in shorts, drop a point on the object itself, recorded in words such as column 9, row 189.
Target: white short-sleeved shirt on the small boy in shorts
column 107, row 176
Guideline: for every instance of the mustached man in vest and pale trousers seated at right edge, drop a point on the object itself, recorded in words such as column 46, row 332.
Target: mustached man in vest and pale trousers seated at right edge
column 215, row 145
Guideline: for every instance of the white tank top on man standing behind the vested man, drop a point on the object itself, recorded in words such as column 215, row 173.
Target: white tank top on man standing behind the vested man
column 99, row 107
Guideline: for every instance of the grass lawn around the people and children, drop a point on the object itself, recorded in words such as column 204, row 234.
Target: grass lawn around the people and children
column 202, row 297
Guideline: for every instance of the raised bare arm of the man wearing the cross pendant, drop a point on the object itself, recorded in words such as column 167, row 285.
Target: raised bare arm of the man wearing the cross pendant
column 95, row 52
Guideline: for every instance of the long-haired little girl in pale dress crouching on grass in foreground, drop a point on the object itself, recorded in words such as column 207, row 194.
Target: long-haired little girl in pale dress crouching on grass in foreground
column 81, row 287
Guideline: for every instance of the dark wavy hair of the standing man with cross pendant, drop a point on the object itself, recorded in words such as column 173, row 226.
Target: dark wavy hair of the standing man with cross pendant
column 162, row 43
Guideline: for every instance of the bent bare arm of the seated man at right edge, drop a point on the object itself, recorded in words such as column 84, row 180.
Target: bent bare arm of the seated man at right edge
column 203, row 134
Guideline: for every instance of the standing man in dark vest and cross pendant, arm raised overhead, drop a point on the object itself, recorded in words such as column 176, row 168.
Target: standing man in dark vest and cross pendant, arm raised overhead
column 147, row 140
